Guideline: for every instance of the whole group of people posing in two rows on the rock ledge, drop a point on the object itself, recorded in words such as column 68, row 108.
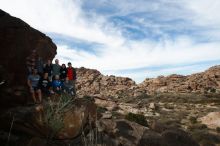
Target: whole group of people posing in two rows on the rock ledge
column 51, row 79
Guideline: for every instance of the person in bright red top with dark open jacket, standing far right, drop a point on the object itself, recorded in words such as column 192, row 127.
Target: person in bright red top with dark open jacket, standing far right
column 71, row 74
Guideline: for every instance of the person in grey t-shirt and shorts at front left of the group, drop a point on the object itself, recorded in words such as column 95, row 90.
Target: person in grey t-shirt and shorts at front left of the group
column 33, row 82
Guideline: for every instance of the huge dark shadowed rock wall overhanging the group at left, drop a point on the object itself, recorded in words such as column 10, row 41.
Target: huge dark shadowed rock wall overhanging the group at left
column 18, row 40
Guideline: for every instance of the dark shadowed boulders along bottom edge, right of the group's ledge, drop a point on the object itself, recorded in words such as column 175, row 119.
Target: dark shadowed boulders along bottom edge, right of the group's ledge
column 126, row 133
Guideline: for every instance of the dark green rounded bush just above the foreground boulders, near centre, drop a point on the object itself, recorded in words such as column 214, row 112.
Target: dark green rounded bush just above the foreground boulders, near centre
column 138, row 118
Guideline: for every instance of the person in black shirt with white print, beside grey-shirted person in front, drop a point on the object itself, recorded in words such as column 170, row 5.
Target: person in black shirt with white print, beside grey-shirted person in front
column 45, row 84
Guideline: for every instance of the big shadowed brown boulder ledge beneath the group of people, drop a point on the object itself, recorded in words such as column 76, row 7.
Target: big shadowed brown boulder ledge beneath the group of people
column 50, row 121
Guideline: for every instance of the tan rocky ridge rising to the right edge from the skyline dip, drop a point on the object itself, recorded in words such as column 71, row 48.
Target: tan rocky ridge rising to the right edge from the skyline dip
column 208, row 81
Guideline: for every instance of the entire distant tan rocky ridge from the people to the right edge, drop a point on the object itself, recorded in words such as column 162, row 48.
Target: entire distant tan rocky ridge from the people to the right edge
column 92, row 82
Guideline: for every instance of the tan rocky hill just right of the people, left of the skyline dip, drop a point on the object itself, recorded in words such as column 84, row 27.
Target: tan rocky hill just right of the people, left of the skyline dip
column 92, row 82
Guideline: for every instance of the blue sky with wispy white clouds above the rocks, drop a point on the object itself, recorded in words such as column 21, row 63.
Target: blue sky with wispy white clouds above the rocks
column 134, row 38
